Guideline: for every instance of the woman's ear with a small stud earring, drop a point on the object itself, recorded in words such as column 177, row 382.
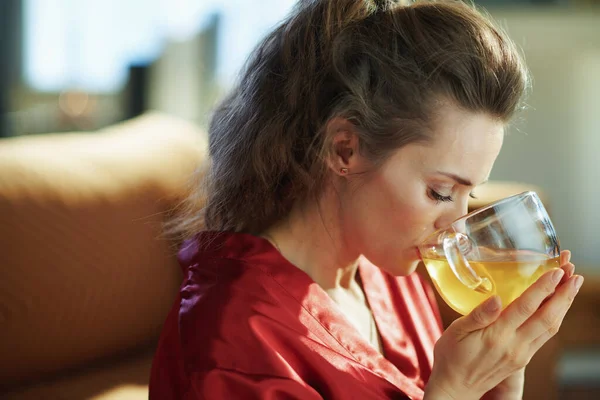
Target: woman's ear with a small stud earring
column 344, row 157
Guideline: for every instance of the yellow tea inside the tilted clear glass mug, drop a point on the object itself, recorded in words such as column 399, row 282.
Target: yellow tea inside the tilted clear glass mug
column 508, row 278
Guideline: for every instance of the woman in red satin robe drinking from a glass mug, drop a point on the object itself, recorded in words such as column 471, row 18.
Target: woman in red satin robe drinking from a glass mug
column 357, row 129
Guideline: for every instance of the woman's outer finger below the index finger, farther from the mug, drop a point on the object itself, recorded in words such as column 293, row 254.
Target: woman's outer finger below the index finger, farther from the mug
column 548, row 319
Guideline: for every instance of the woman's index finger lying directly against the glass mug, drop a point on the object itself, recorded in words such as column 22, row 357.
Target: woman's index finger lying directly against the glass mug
column 527, row 304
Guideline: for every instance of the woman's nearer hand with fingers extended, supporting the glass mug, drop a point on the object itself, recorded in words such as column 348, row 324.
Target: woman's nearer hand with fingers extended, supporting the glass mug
column 489, row 348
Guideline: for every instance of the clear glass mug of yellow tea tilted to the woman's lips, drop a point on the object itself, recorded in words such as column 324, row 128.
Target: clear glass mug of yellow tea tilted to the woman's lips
column 499, row 249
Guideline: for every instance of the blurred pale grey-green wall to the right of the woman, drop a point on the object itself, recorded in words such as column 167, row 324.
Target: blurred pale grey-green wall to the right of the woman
column 557, row 144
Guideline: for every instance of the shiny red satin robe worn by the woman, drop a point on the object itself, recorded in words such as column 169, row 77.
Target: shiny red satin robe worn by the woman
column 247, row 324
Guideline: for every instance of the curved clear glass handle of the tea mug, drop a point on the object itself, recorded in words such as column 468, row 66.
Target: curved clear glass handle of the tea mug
column 455, row 247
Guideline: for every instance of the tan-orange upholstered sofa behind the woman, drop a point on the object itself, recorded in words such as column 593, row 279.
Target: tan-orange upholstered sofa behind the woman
column 86, row 278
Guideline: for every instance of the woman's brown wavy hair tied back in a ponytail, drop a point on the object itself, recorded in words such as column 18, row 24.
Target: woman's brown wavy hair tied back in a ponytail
column 381, row 65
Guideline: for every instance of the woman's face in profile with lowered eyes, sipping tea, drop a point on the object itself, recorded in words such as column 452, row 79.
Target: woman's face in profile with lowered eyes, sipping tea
column 422, row 187
